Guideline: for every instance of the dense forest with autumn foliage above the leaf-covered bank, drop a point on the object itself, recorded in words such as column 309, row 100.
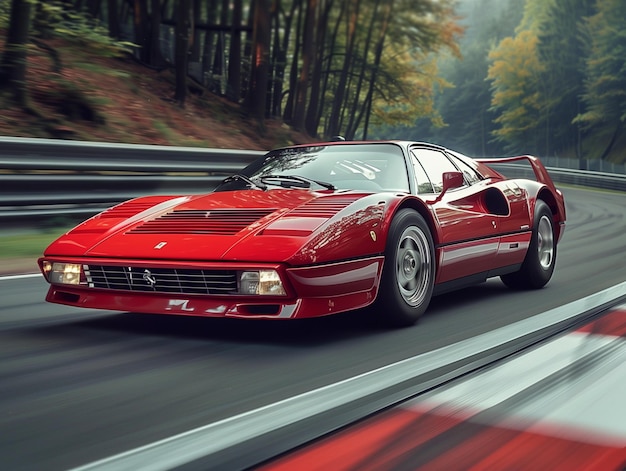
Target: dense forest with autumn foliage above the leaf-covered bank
column 486, row 77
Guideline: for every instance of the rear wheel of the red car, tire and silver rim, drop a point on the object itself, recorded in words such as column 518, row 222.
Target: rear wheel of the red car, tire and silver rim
column 540, row 259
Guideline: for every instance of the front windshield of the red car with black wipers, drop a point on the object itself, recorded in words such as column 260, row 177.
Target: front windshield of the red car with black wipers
column 369, row 167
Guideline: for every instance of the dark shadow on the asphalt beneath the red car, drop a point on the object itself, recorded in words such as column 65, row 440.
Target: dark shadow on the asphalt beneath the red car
column 290, row 332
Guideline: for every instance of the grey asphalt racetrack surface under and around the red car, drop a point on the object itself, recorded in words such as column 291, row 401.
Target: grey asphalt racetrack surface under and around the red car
column 79, row 386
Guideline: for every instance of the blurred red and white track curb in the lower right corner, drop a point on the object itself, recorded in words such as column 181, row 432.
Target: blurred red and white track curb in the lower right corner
column 558, row 407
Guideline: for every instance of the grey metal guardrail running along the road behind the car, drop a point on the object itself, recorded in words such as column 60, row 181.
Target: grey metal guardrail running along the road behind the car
column 43, row 178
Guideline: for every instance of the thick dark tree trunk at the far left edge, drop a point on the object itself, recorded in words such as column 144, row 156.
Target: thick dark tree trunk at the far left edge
column 13, row 66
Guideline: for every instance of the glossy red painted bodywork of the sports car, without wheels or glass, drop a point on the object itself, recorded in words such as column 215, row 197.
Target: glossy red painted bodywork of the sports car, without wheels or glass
column 476, row 229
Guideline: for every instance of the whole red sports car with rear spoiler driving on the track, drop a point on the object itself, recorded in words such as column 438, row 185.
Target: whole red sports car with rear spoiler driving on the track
column 317, row 229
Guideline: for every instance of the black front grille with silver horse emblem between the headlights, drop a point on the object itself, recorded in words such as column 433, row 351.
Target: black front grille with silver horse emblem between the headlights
column 161, row 280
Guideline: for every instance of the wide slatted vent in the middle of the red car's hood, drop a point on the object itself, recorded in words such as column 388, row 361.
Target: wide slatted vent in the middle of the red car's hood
column 214, row 221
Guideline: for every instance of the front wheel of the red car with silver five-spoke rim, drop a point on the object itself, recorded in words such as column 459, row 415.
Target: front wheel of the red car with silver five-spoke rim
column 408, row 273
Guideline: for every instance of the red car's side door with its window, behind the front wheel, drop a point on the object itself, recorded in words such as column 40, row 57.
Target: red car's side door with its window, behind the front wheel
column 467, row 240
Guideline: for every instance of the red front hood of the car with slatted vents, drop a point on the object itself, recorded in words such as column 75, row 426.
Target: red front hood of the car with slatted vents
column 282, row 225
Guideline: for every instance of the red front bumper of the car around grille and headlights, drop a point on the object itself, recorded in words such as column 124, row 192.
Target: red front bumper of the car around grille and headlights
column 311, row 292
